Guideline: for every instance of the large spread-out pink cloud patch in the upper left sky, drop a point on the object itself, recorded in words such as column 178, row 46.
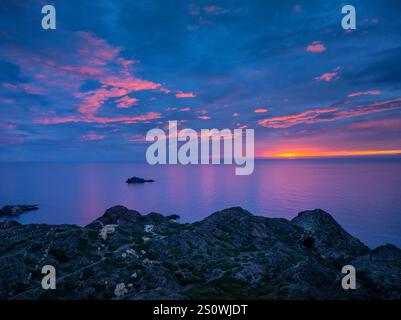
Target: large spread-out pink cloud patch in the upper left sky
column 96, row 59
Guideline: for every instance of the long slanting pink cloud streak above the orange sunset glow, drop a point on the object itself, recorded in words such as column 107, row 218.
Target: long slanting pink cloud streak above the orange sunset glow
column 329, row 114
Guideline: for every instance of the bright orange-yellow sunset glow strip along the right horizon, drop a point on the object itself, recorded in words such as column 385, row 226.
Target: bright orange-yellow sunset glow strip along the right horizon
column 322, row 154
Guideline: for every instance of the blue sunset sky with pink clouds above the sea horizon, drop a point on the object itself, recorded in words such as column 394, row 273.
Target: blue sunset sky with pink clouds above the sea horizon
column 114, row 69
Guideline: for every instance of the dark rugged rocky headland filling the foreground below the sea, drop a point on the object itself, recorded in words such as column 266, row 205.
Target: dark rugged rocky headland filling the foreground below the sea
column 231, row 254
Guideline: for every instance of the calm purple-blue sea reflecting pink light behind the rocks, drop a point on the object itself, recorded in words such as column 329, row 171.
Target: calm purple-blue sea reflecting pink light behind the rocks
column 364, row 196
